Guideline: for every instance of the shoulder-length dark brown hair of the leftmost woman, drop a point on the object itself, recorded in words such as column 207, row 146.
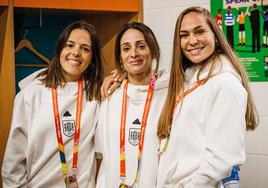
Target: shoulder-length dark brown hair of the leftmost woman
column 53, row 76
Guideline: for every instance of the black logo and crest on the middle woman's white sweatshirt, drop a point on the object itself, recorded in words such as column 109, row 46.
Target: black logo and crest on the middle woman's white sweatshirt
column 134, row 133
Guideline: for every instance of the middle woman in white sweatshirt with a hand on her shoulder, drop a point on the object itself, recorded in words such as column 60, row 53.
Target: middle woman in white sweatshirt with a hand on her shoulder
column 126, row 132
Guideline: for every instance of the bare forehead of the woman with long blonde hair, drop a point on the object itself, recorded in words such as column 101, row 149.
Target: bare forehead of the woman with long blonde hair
column 193, row 20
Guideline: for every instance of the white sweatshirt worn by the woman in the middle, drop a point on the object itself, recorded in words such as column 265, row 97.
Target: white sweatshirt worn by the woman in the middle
column 108, row 135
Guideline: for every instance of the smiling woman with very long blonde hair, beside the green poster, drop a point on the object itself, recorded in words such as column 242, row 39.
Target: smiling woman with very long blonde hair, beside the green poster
column 208, row 107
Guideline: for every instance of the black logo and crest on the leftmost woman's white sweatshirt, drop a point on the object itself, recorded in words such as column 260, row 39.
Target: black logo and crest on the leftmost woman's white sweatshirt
column 68, row 124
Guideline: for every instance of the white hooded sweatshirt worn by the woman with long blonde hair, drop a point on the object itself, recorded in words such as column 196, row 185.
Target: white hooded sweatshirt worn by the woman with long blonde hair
column 208, row 131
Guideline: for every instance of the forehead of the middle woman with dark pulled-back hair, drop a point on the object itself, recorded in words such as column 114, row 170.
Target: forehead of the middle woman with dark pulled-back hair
column 132, row 35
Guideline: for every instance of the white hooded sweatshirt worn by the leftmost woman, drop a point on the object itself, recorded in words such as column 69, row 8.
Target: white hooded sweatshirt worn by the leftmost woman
column 32, row 157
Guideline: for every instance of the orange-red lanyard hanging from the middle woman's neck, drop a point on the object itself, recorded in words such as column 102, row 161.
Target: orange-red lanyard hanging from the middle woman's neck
column 142, row 132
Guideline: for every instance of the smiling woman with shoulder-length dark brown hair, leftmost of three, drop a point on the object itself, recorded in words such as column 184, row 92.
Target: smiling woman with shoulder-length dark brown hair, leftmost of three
column 51, row 138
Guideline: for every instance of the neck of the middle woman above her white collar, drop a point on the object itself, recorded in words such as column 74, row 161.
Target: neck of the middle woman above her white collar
column 140, row 79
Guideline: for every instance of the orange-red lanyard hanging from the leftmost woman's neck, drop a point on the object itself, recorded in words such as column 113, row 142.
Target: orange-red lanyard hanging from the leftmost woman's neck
column 77, row 128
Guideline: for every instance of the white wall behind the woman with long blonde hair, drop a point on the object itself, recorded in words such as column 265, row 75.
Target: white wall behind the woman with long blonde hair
column 160, row 16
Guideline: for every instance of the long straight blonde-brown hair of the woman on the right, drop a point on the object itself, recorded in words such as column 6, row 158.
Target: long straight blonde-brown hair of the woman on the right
column 180, row 63
